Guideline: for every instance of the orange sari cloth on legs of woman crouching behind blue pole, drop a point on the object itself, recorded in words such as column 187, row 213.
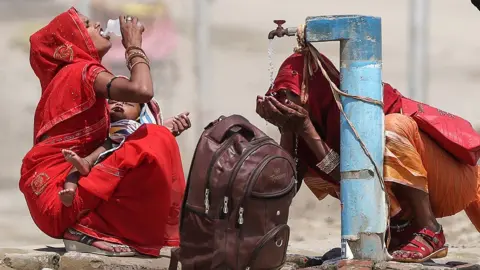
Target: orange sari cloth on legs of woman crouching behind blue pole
column 413, row 159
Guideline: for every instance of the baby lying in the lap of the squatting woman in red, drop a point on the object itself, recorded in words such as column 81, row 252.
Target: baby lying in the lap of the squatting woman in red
column 125, row 119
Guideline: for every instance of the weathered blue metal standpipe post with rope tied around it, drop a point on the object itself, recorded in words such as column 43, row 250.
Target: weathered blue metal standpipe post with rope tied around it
column 364, row 207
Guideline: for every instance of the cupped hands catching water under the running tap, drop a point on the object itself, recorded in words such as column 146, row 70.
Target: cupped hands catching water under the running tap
column 287, row 116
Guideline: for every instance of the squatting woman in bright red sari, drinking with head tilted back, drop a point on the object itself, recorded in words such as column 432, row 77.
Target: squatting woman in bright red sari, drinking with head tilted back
column 129, row 202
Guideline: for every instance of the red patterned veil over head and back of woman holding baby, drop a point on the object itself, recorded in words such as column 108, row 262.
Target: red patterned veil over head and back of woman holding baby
column 65, row 60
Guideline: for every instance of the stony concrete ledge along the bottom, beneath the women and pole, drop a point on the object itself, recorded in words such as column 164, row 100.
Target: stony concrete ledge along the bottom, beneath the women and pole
column 55, row 258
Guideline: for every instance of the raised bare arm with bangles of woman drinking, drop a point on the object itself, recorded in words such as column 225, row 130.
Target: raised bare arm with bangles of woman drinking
column 139, row 88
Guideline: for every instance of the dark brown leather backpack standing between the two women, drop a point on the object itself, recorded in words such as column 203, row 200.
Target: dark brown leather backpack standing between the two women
column 239, row 190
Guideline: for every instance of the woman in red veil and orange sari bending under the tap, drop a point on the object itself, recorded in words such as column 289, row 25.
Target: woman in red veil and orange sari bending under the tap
column 423, row 182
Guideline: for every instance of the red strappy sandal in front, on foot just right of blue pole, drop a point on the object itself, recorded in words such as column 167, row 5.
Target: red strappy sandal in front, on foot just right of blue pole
column 425, row 246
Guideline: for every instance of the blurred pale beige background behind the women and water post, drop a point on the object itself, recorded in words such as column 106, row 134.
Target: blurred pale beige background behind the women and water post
column 210, row 58
